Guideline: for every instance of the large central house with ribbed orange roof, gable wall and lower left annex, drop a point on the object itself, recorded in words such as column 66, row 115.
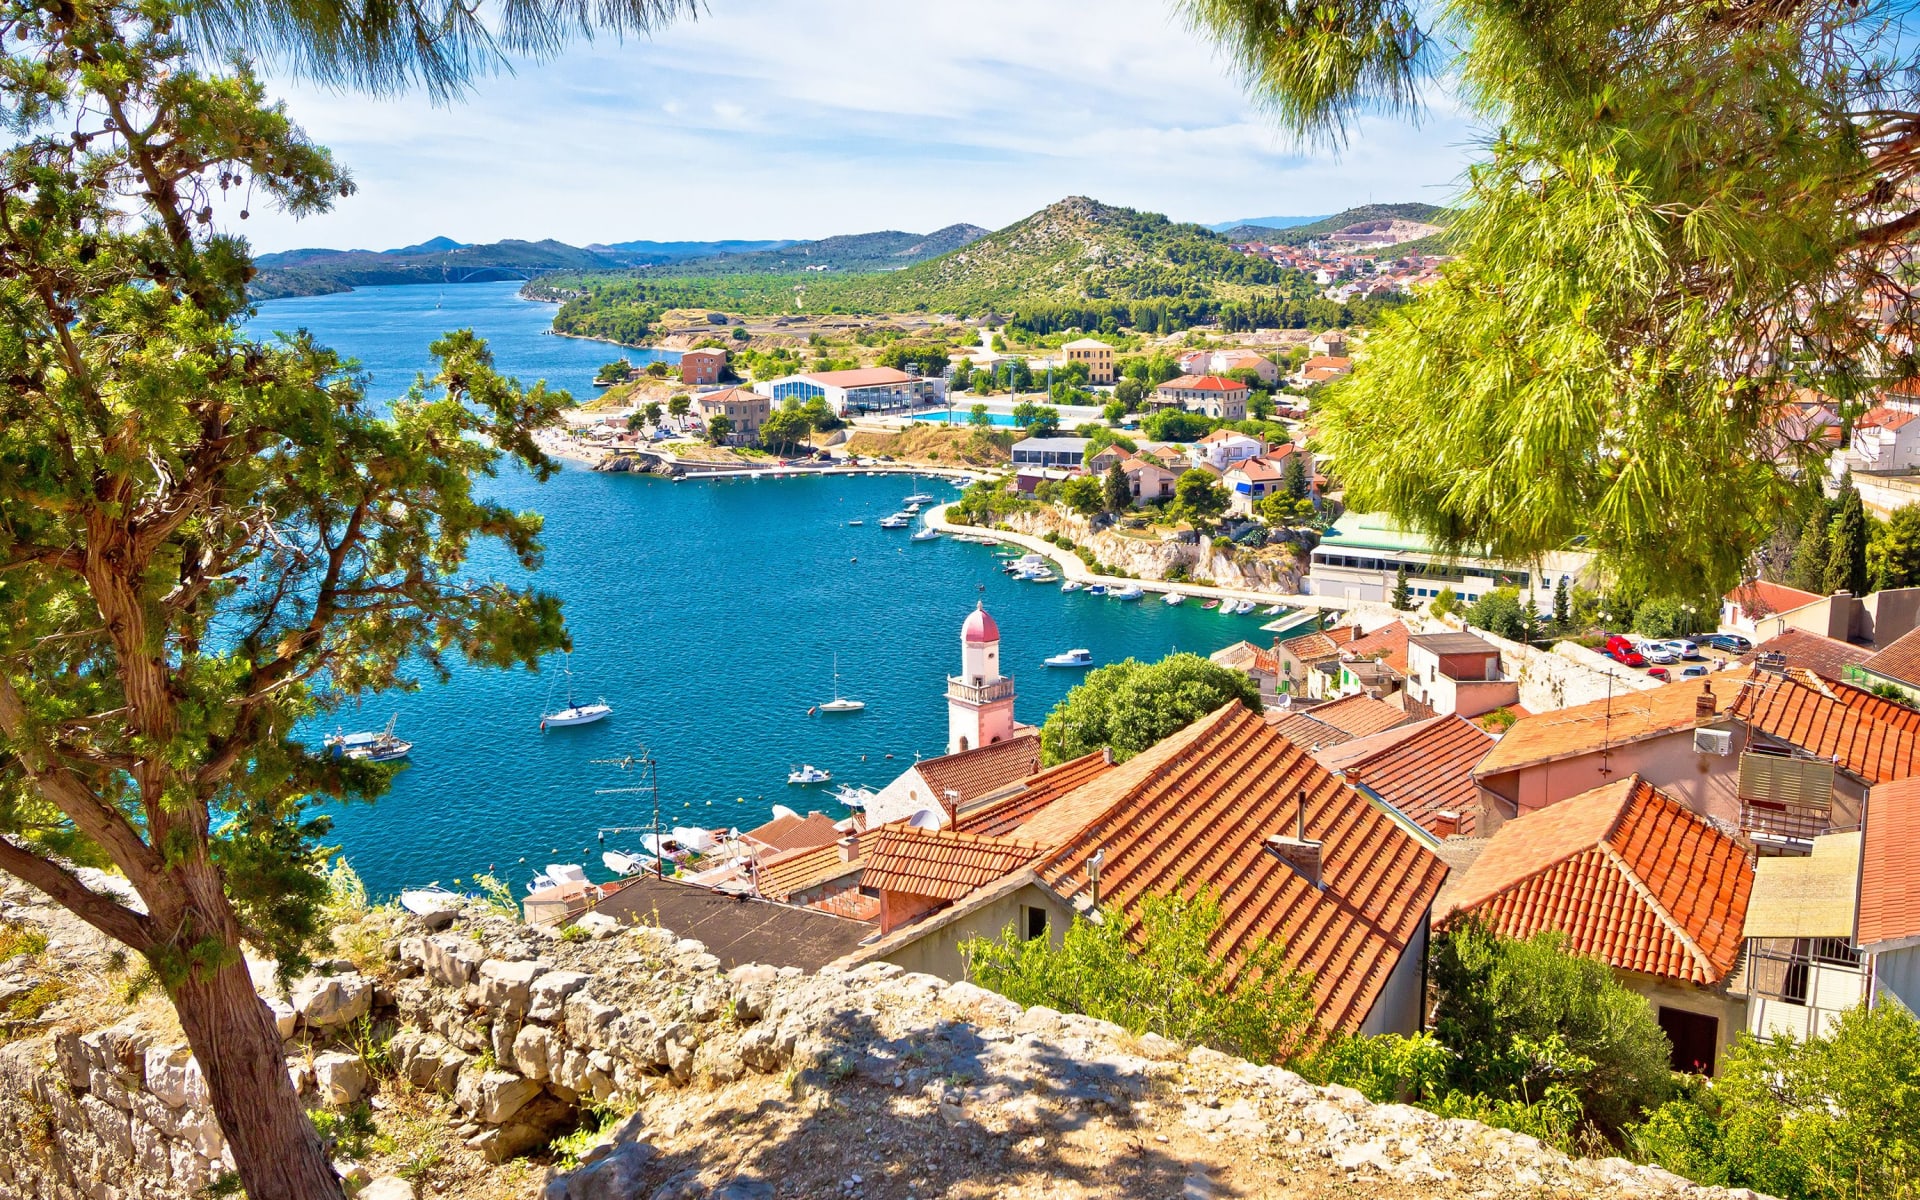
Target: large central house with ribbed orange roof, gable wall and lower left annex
column 1339, row 882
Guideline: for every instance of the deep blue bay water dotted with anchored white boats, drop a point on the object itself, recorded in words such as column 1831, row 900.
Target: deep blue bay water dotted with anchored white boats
column 708, row 615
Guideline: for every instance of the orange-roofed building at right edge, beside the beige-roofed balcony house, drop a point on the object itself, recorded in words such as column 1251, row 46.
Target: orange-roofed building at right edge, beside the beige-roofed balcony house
column 1888, row 923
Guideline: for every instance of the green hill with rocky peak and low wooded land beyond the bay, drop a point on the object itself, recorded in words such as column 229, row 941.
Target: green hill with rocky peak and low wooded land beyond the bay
column 1076, row 262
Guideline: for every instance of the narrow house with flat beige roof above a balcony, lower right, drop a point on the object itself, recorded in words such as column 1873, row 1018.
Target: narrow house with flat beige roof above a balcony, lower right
column 1802, row 967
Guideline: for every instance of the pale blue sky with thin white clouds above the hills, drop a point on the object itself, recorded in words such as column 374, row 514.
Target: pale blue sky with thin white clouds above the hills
column 811, row 118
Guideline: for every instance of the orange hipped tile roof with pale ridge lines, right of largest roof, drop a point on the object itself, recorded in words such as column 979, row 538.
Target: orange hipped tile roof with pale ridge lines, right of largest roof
column 1629, row 875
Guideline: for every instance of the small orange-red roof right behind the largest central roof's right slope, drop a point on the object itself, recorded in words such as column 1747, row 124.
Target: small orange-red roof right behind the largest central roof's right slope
column 1422, row 771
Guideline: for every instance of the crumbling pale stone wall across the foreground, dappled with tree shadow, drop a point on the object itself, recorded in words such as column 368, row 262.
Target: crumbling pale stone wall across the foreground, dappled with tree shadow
column 754, row 1084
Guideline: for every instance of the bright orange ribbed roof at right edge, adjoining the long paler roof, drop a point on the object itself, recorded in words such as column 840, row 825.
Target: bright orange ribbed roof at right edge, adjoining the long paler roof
column 1869, row 736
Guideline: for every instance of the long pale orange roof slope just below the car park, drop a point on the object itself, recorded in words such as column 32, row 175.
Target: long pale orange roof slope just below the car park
column 1618, row 721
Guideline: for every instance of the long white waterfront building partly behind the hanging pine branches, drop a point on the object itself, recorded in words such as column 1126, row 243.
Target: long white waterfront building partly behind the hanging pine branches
column 1362, row 556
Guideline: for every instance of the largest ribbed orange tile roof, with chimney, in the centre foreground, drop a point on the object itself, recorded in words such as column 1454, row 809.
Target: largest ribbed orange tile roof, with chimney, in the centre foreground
column 1197, row 809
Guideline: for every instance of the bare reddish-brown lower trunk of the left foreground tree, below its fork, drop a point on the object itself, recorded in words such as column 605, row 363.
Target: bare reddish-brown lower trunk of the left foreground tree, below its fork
column 239, row 1047
